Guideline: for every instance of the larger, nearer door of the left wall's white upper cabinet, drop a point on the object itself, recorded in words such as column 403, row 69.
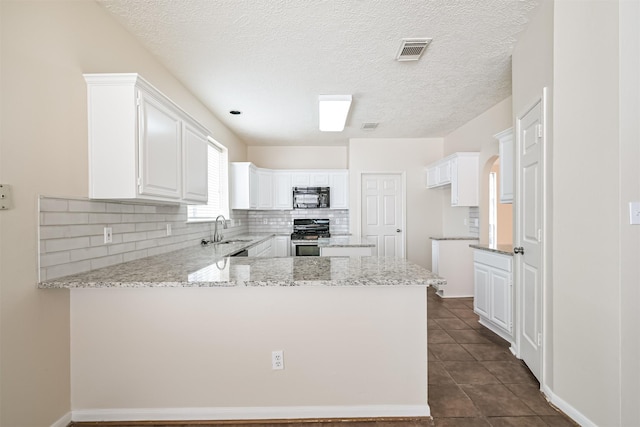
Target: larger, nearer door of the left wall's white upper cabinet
column 160, row 149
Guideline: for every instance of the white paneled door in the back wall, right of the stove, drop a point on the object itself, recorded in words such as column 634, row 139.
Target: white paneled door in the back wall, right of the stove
column 383, row 213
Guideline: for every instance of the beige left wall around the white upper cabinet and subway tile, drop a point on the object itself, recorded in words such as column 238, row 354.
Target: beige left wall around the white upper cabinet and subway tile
column 46, row 46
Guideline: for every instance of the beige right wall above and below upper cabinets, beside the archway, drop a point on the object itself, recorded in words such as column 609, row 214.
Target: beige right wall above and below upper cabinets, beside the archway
column 476, row 135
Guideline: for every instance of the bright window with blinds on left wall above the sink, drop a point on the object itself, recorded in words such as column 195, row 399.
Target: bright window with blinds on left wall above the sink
column 218, row 203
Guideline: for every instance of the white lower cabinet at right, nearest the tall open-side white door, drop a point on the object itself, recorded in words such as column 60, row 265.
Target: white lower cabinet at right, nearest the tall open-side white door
column 493, row 294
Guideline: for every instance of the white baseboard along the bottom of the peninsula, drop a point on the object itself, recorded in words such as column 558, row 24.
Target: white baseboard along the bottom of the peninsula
column 249, row 413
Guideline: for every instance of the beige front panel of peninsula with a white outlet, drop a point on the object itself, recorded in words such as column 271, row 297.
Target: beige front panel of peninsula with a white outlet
column 211, row 348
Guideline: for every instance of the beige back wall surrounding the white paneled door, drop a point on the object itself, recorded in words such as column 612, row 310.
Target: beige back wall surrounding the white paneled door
column 424, row 207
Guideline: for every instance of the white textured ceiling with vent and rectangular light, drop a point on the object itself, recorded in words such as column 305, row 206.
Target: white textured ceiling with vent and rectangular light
column 271, row 59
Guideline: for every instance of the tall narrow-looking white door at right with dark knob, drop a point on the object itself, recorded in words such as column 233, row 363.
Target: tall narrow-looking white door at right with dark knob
column 530, row 140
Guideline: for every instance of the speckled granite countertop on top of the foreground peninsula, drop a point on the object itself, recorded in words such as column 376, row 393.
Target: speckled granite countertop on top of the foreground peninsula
column 204, row 266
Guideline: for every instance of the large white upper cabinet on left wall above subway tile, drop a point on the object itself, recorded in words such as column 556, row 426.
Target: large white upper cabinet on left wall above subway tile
column 141, row 144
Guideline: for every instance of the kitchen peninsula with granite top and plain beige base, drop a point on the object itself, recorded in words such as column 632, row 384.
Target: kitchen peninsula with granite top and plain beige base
column 190, row 335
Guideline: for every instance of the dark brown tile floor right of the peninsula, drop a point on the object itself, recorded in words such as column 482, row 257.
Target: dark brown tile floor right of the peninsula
column 474, row 380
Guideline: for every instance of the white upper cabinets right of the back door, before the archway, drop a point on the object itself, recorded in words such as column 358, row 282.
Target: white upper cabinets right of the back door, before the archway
column 460, row 171
